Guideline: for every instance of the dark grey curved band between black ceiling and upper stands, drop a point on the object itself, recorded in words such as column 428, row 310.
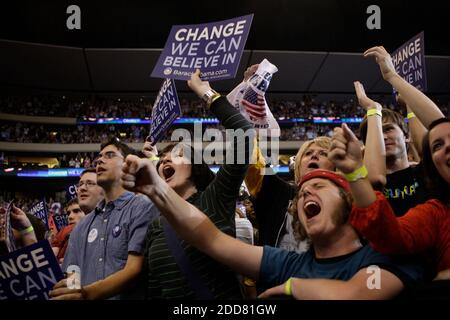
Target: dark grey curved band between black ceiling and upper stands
column 102, row 70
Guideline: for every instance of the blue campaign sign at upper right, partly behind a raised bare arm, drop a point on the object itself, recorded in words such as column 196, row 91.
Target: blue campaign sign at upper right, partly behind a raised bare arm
column 409, row 62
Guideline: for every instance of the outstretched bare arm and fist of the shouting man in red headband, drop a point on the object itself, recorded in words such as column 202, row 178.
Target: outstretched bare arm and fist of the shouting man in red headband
column 140, row 175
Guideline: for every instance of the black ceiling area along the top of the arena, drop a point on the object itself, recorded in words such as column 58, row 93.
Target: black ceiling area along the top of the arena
column 295, row 25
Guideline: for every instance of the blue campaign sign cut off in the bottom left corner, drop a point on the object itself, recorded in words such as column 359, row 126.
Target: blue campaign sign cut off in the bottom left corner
column 29, row 273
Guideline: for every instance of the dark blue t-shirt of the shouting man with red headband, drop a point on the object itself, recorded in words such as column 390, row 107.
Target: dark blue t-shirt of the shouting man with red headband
column 278, row 265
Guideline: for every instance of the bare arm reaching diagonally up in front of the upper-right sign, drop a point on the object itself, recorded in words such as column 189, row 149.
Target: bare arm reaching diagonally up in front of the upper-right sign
column 425, row 109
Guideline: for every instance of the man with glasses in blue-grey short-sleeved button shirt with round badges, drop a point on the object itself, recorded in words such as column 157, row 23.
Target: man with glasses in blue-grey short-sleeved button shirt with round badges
column 105, row 248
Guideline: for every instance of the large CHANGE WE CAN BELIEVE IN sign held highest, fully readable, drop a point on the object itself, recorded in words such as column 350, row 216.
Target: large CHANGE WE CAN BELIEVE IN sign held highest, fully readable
column 214, row 48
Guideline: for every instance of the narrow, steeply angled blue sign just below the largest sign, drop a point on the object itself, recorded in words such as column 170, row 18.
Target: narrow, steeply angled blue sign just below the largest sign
column 165, row 110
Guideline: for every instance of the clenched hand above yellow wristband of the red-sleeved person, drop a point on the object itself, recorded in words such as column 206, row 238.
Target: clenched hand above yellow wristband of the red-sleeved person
column 345, row 151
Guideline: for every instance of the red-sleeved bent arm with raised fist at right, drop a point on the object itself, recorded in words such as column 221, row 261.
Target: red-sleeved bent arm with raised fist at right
column 372, row 215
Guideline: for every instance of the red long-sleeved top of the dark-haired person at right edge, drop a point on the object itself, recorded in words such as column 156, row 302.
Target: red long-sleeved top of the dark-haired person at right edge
column 424, row 228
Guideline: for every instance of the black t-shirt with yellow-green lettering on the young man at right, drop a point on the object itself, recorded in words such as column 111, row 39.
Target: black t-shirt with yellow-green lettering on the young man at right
column 405, row 189
